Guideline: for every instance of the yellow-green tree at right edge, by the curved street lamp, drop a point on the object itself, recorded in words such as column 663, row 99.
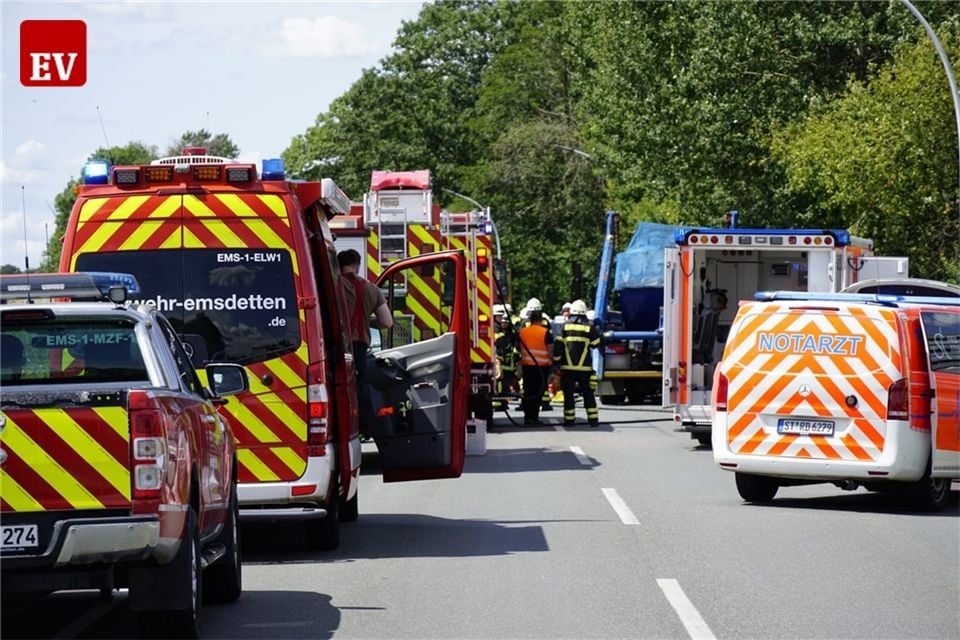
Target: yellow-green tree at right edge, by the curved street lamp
column 882, row 160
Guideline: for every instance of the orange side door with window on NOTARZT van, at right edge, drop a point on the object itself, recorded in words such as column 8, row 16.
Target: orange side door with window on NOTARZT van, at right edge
column 941, row 330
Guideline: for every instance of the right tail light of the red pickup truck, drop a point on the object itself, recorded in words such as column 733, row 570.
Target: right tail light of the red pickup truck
column 148, row 445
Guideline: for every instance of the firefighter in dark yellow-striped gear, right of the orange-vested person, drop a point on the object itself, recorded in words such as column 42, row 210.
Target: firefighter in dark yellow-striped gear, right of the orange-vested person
column 572, row 353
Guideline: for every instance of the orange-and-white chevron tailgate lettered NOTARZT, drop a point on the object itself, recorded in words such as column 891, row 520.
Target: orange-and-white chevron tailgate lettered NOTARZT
column 811, row 380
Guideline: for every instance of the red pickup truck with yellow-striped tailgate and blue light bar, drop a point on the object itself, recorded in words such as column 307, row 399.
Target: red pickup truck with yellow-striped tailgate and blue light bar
column 117, row 469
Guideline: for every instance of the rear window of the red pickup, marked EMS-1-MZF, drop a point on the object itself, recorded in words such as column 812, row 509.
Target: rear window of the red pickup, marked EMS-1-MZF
column 68, row 350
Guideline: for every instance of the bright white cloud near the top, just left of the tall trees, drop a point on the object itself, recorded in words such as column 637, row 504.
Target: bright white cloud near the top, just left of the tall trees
column 323, row 37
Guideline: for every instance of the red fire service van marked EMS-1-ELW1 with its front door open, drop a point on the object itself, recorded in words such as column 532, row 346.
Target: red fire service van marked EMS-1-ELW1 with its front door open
column 244, row 267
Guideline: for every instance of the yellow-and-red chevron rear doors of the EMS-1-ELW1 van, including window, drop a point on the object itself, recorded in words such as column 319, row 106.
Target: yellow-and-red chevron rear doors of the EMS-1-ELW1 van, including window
column 222, row 267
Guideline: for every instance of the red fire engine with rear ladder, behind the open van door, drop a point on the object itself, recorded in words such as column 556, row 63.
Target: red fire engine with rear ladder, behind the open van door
column 400, row 218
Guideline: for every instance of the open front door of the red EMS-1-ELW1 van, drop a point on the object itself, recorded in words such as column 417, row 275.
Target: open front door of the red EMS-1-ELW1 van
column 419, row 379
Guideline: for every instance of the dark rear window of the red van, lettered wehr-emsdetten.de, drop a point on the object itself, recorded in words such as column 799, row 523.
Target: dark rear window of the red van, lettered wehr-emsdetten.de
column 235, row 305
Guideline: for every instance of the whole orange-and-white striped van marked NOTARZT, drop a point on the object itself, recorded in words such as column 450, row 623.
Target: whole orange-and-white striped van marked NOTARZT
column 853, row 389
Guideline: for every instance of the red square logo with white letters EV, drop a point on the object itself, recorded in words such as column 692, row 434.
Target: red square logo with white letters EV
column 53, row 53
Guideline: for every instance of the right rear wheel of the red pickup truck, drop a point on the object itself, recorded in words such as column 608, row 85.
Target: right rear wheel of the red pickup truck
column 180, row 623
